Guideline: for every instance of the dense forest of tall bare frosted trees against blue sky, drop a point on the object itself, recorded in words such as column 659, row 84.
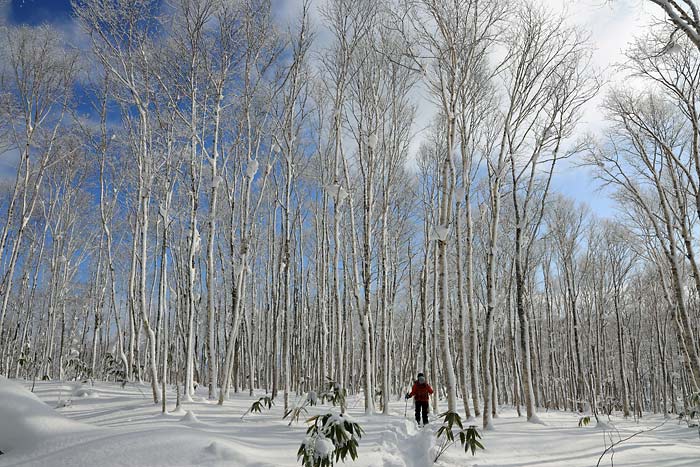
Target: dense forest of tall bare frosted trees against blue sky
column 207, row 195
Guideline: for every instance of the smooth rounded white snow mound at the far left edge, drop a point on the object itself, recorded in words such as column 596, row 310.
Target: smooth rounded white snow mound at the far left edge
column 25, row 421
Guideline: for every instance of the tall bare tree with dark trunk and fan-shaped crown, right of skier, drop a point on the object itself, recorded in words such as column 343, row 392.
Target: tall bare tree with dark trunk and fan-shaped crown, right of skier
column 551, row 63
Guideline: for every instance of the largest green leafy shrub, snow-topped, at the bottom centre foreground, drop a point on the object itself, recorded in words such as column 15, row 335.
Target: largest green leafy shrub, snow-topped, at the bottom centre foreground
column 331, row 438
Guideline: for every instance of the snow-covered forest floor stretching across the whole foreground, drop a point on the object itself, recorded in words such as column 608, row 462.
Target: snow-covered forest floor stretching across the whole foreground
column 109, row 425
